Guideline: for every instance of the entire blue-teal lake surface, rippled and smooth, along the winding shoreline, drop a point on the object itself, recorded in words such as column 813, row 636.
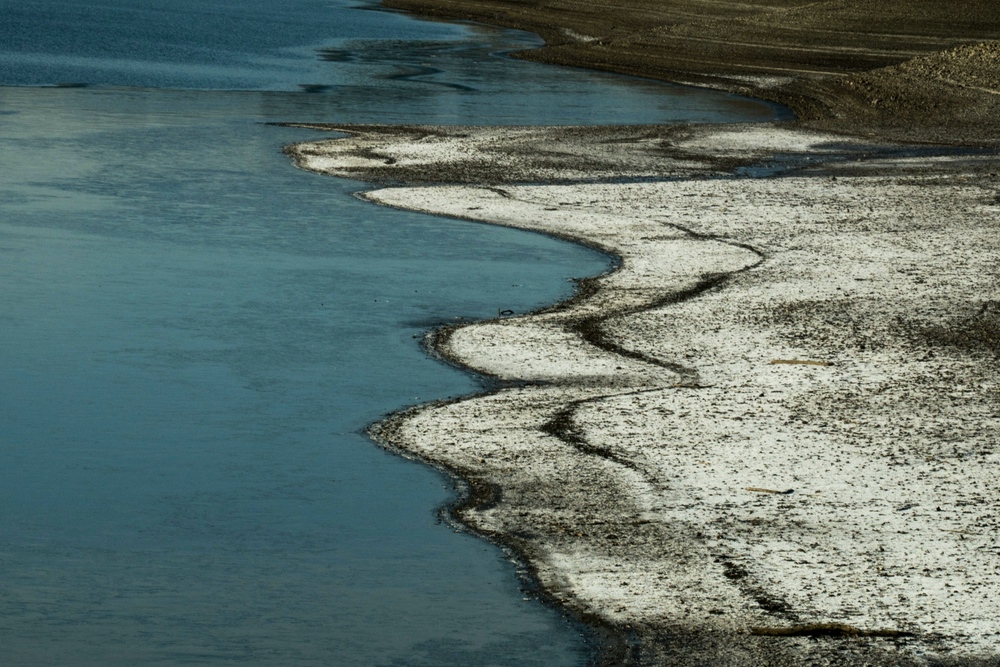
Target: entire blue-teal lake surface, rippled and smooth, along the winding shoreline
column 194, row 335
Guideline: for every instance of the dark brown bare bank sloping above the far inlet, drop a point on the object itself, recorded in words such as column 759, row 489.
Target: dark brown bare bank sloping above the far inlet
column 836, row 63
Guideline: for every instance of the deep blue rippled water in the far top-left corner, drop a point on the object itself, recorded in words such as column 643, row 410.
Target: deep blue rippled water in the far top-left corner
column 215, row 44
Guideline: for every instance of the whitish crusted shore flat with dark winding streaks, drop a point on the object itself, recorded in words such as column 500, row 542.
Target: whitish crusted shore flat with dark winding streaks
column 770, row 436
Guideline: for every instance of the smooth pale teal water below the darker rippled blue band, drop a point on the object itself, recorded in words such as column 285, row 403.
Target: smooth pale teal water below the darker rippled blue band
column 195, row 335
